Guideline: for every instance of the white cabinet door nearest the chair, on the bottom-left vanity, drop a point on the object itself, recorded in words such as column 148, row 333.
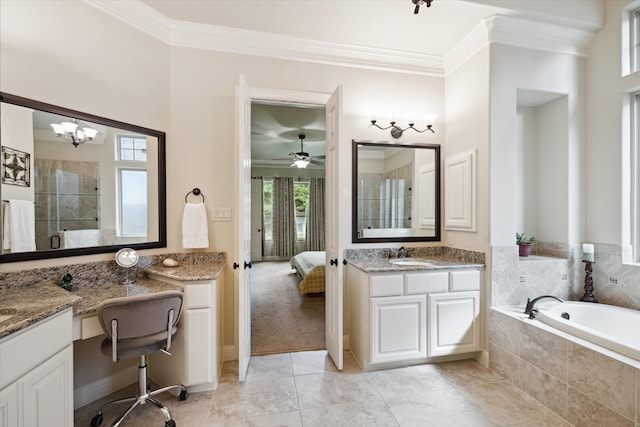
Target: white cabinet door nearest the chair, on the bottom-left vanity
column 47, row 392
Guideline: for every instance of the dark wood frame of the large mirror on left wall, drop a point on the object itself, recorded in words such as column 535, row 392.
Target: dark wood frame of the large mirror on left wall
column 162, row 217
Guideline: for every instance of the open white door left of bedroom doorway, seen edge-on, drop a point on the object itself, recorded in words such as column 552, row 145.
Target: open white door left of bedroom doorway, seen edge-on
column 242, row 265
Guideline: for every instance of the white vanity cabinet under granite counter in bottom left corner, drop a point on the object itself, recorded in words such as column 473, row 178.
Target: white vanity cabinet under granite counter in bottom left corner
column 36, row 374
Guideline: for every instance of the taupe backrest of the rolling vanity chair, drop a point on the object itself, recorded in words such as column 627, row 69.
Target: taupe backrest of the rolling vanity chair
column 141, row 316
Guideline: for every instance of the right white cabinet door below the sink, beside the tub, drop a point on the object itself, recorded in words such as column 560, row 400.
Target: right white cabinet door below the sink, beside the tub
column 453, row 323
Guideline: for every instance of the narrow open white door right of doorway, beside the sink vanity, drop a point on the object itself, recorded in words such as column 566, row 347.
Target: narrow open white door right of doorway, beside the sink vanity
column 335, row 228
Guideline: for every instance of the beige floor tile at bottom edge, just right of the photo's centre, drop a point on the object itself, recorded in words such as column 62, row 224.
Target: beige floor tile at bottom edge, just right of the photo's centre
column 364, row 413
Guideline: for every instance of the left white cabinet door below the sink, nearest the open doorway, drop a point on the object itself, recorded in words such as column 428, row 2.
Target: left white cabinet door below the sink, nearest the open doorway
column 398, row 328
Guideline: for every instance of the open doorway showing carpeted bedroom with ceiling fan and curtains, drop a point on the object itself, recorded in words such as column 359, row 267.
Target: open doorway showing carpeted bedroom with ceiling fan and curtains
column 283, row 319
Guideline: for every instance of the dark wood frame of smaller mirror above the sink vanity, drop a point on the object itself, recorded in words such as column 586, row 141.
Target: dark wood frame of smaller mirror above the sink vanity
column 355, row 237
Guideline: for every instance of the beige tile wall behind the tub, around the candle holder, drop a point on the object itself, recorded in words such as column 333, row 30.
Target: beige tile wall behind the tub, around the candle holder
column 558, row 270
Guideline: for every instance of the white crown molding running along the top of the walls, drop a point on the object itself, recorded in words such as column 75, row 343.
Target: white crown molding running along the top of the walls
column 500, row 29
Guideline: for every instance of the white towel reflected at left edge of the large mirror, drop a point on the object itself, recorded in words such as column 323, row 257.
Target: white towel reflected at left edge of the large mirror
column 19, row 226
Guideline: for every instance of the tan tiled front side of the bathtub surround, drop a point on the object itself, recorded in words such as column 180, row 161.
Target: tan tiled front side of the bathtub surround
column 580, row 384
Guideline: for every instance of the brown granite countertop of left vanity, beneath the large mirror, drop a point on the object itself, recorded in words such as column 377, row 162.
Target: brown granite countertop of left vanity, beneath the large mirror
column 27, row 305
